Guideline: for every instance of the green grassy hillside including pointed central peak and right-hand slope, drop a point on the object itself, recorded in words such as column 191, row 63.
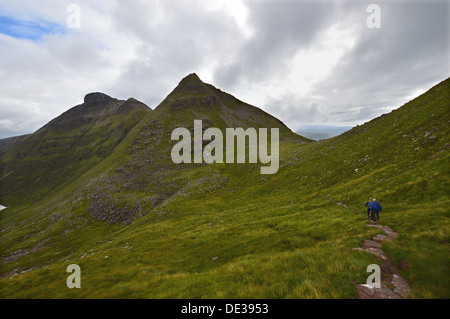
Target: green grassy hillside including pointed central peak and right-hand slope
column 140, row 226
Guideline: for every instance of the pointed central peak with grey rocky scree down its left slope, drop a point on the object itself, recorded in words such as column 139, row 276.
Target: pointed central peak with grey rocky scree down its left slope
column 148, row 174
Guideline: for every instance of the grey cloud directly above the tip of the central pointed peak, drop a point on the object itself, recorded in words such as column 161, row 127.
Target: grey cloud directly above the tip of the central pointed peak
column 187, row 38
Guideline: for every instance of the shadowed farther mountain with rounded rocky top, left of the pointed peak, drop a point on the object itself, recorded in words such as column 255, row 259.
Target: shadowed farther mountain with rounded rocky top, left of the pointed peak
column 67, row 146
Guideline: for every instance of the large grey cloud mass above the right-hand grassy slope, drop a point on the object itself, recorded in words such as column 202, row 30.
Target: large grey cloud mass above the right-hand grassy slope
column 409, row 53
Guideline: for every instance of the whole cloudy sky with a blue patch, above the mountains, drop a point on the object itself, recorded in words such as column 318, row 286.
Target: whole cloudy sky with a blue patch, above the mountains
column 306, row 62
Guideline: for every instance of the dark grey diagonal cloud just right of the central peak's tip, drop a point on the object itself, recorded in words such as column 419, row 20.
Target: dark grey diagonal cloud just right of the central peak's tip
column 280, row 29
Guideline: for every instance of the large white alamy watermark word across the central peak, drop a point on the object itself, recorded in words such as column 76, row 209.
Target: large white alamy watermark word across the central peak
column 213, row 152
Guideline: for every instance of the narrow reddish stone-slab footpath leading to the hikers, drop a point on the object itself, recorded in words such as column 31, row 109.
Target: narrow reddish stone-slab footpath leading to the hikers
column 389, row 273
